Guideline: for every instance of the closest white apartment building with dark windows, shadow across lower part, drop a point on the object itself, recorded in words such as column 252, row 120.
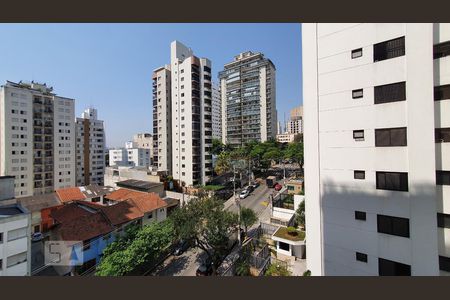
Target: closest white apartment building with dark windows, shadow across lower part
column 377, row 148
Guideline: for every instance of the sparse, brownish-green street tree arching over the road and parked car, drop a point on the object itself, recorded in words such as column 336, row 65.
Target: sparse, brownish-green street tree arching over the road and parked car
column 204, row 221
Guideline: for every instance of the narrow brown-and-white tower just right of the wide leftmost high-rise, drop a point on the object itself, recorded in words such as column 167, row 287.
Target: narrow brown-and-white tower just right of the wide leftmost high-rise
column 90, row 145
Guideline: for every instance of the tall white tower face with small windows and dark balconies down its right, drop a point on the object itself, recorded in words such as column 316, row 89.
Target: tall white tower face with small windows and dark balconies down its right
column 191, row 116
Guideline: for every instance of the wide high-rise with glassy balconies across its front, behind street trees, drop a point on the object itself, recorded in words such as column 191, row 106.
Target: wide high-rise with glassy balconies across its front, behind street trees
column 248, row 99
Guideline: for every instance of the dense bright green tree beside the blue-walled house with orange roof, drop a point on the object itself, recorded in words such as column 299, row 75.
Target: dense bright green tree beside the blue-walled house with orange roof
column 131, row 252
